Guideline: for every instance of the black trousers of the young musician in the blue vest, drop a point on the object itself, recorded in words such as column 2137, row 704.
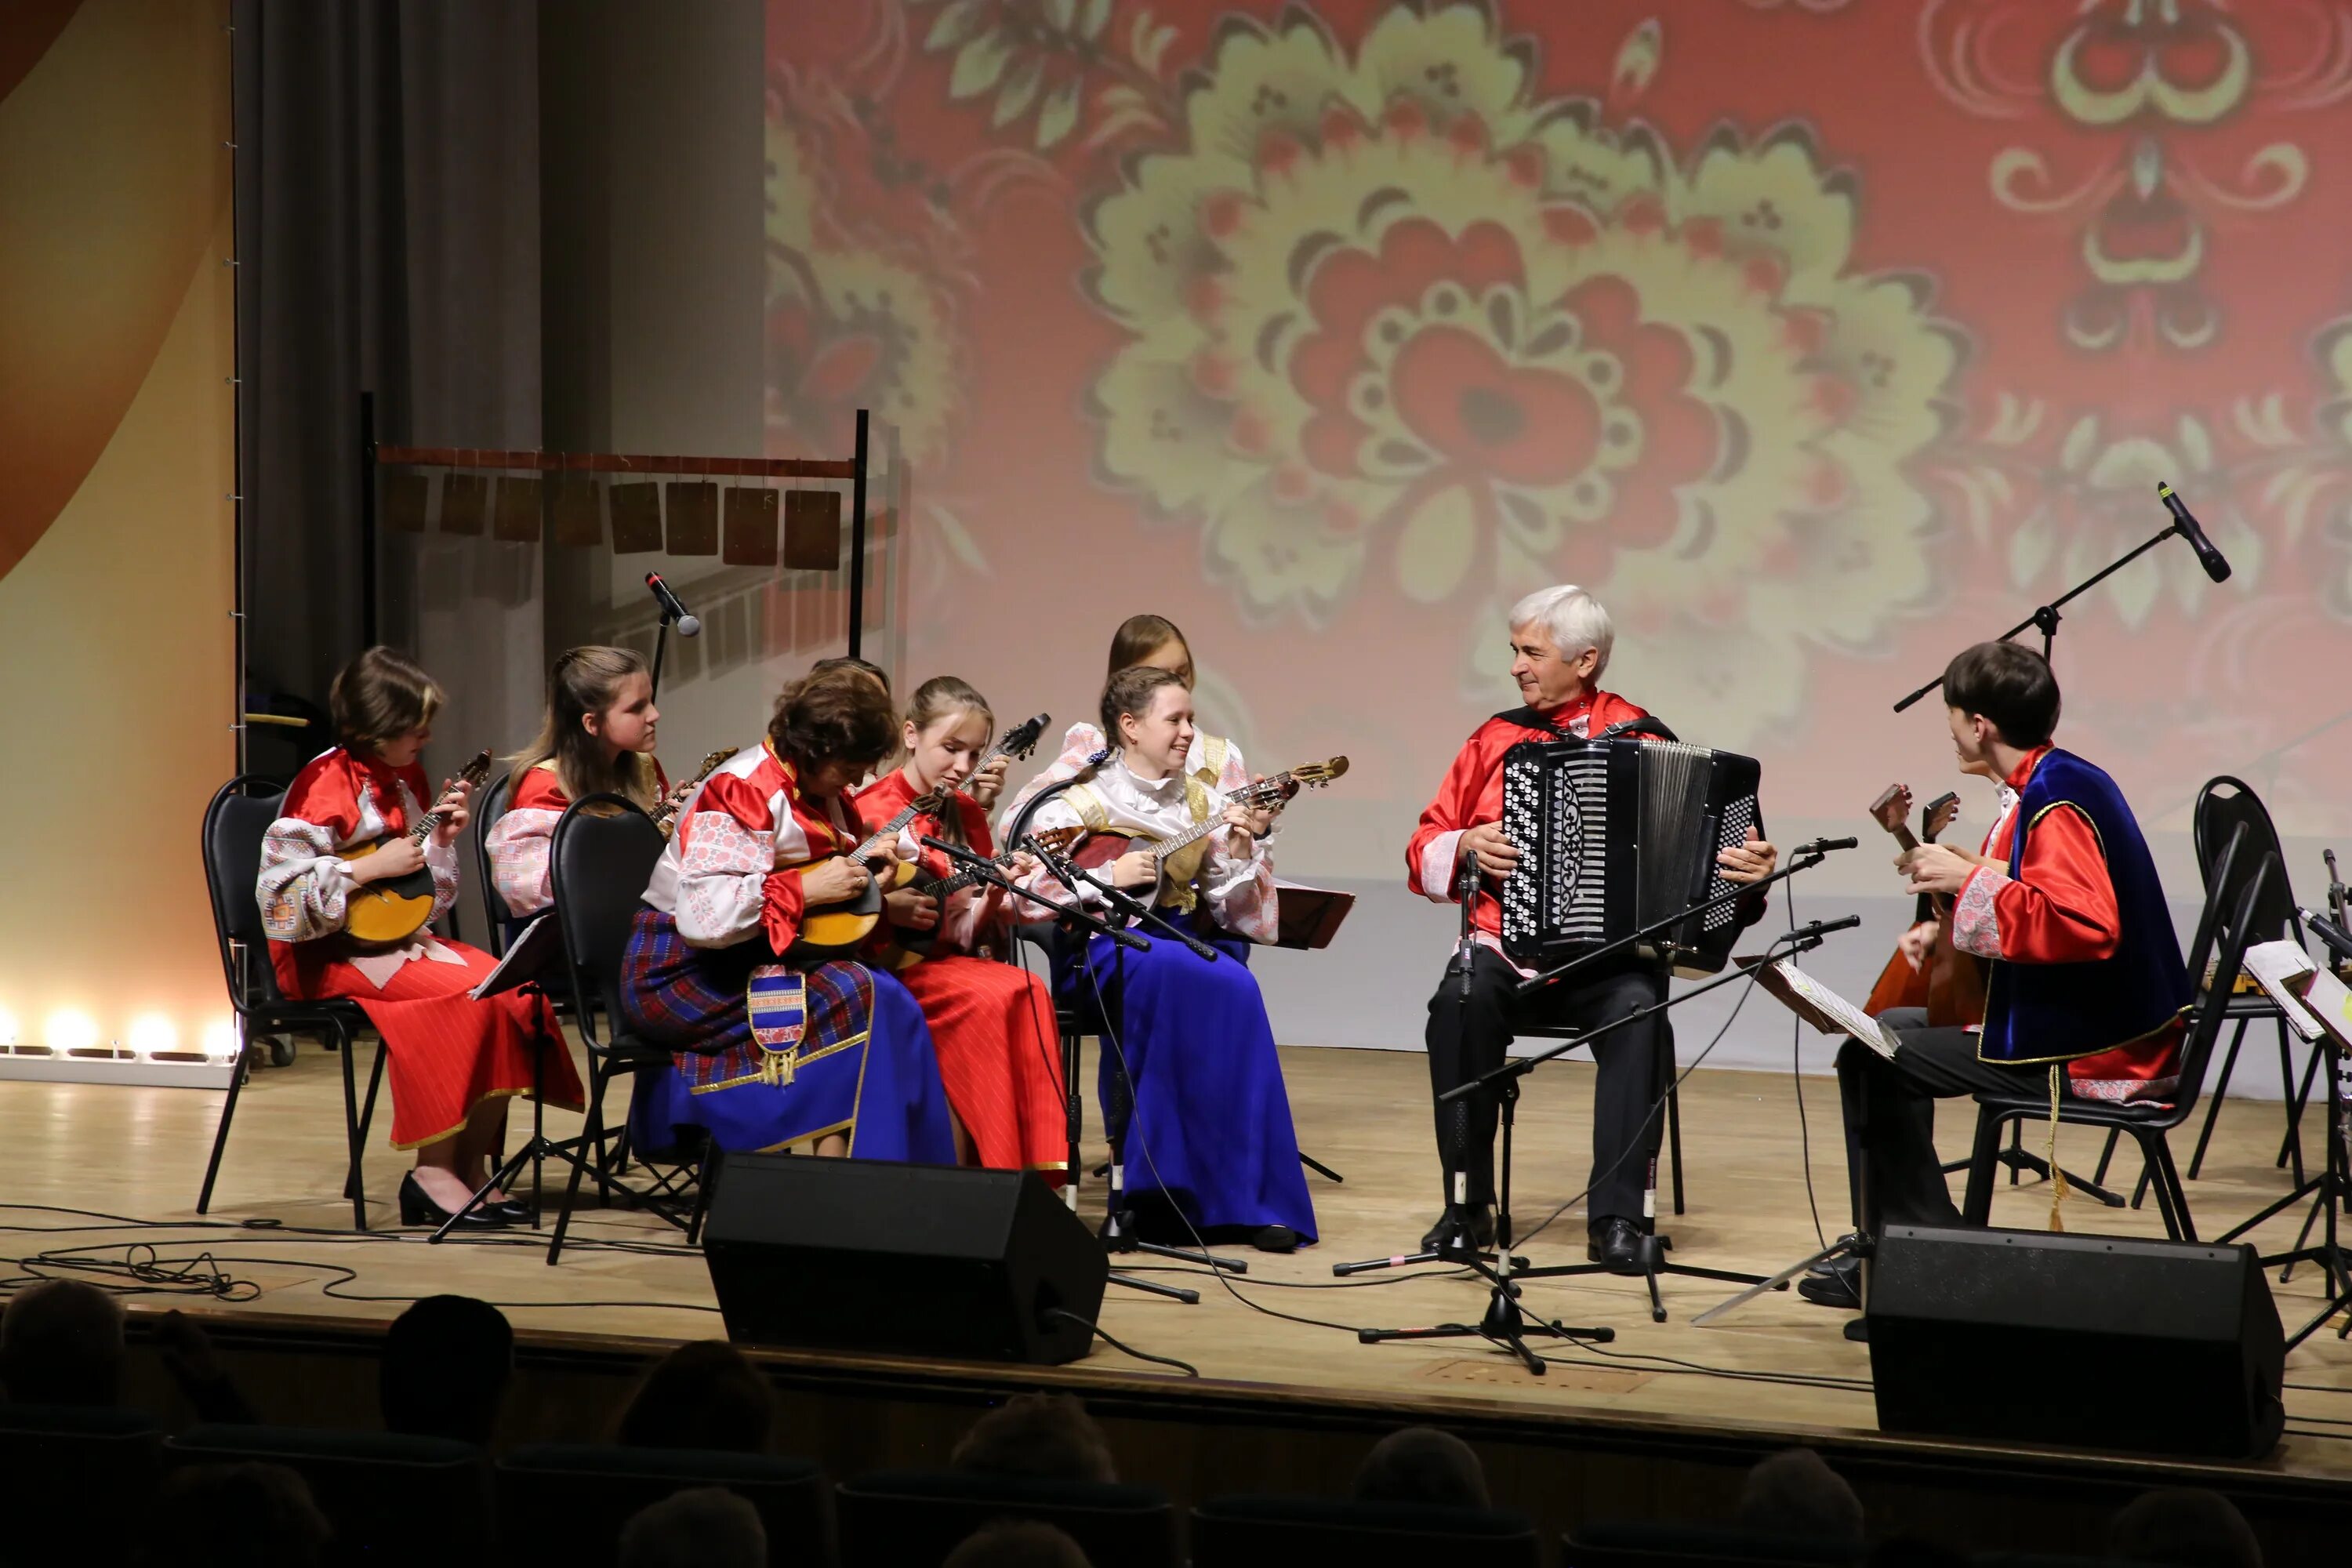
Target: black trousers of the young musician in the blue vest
column 1892, row 1115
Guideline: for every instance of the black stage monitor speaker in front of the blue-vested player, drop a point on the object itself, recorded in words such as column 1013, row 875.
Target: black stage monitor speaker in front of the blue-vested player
column 2076, row 1341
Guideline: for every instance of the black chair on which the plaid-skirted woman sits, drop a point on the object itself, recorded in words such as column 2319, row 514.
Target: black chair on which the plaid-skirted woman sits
column 603, row 857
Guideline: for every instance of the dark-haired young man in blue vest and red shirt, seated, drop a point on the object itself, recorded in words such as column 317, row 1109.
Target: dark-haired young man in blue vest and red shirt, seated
column 2087, row 989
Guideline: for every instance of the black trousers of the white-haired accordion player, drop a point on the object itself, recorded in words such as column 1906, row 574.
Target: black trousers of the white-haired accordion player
column 1471, row 1040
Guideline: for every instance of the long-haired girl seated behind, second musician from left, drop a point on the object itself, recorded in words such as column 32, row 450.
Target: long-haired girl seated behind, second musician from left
column 599, row 739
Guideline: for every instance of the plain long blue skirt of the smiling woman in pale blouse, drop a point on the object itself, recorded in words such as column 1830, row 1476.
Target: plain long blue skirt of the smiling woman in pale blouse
column 1208, row 1125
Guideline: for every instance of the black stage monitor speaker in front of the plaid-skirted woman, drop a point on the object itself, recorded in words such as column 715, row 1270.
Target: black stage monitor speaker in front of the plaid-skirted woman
column 857, row 1254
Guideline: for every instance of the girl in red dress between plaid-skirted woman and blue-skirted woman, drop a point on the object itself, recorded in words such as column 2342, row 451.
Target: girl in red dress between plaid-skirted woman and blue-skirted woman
column 991, row 1021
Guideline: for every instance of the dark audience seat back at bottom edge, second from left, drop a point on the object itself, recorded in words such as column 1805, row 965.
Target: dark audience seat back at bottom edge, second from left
column 392, row 1499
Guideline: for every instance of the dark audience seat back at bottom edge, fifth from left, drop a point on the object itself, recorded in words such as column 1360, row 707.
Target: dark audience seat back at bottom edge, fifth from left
column 1285, row 1532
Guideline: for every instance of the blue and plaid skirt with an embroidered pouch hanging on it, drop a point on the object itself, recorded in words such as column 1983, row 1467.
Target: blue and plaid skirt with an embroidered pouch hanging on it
column 857, row 1061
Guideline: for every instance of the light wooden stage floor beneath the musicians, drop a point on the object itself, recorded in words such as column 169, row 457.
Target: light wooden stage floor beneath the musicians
column 140, row 1153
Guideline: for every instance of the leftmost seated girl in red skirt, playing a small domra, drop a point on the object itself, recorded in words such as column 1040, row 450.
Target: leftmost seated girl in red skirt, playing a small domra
column 453, row 1061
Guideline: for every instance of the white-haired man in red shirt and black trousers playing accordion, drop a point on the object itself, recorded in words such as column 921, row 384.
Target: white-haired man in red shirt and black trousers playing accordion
column 1561, row 645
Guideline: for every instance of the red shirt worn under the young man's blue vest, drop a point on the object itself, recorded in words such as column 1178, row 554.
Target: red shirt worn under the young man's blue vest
column 2059, row 911
